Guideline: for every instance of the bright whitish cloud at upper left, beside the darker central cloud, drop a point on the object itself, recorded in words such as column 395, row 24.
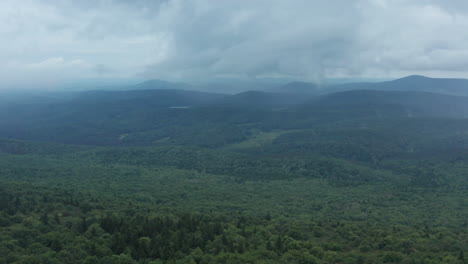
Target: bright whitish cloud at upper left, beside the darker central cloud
column 61, row 40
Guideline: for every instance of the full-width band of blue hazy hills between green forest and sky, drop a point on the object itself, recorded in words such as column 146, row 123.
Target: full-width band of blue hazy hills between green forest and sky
column 151, row 114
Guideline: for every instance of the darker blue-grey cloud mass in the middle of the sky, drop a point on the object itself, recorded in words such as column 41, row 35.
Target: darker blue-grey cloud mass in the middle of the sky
column 255, row 38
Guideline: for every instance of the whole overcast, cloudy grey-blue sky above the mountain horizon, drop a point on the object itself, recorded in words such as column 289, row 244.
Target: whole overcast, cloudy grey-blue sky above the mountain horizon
column 47, row 42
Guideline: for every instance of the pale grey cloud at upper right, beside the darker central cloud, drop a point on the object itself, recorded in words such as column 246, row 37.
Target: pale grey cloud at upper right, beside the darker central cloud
column 404, row 37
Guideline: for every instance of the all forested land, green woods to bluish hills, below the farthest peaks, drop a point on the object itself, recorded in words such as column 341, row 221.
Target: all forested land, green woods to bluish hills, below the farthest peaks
column 340, row 179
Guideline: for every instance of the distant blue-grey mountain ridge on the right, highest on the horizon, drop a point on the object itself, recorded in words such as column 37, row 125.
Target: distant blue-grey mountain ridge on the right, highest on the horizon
column 411, row 83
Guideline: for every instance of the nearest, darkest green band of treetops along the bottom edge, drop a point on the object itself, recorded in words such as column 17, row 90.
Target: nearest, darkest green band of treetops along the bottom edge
column 115, row 233
